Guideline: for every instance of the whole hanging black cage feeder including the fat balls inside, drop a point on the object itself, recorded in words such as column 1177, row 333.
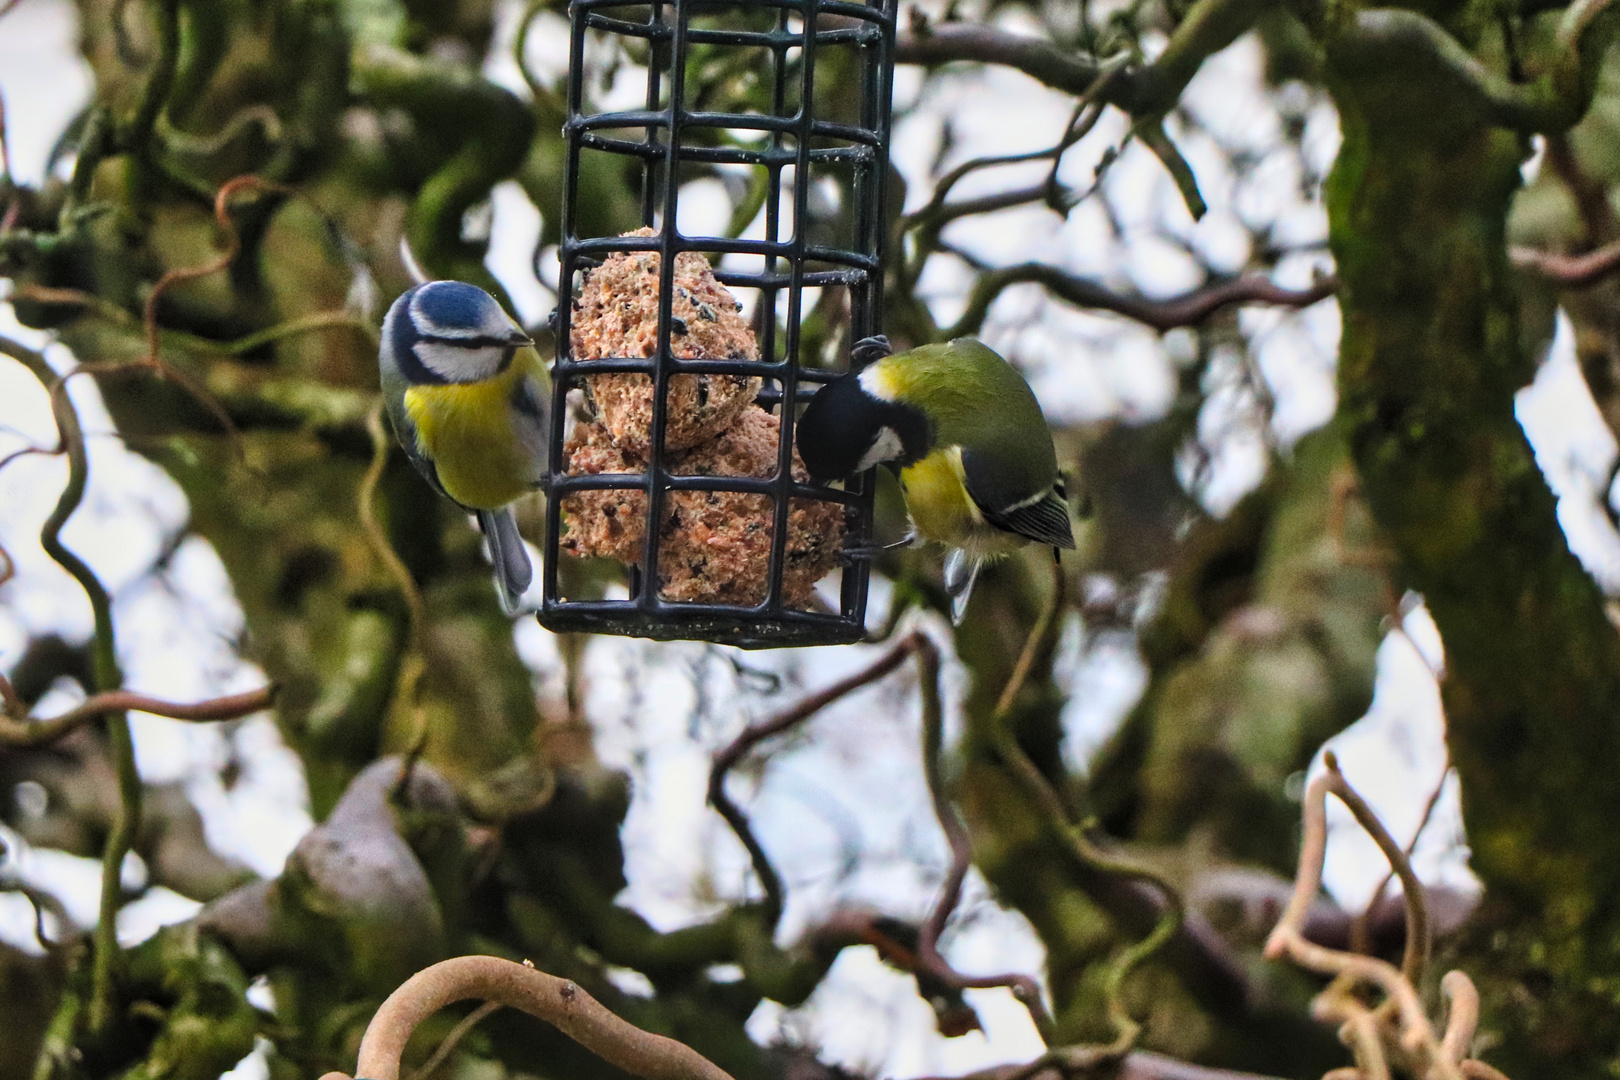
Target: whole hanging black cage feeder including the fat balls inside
column 686, row 347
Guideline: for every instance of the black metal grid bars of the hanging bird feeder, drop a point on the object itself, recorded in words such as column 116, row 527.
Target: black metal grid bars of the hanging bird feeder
column 788, row 43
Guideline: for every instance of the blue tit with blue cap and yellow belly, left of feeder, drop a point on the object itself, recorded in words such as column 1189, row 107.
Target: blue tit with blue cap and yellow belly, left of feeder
column 471, row 406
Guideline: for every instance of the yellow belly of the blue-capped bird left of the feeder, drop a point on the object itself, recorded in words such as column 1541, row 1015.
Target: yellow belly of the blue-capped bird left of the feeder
column 466, row 430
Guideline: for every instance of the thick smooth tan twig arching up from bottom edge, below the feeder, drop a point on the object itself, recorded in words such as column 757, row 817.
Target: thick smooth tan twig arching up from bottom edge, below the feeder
column 558, row 1001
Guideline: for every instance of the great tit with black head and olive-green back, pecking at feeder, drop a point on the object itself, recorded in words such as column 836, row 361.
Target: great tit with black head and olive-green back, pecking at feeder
column 966, row 438
